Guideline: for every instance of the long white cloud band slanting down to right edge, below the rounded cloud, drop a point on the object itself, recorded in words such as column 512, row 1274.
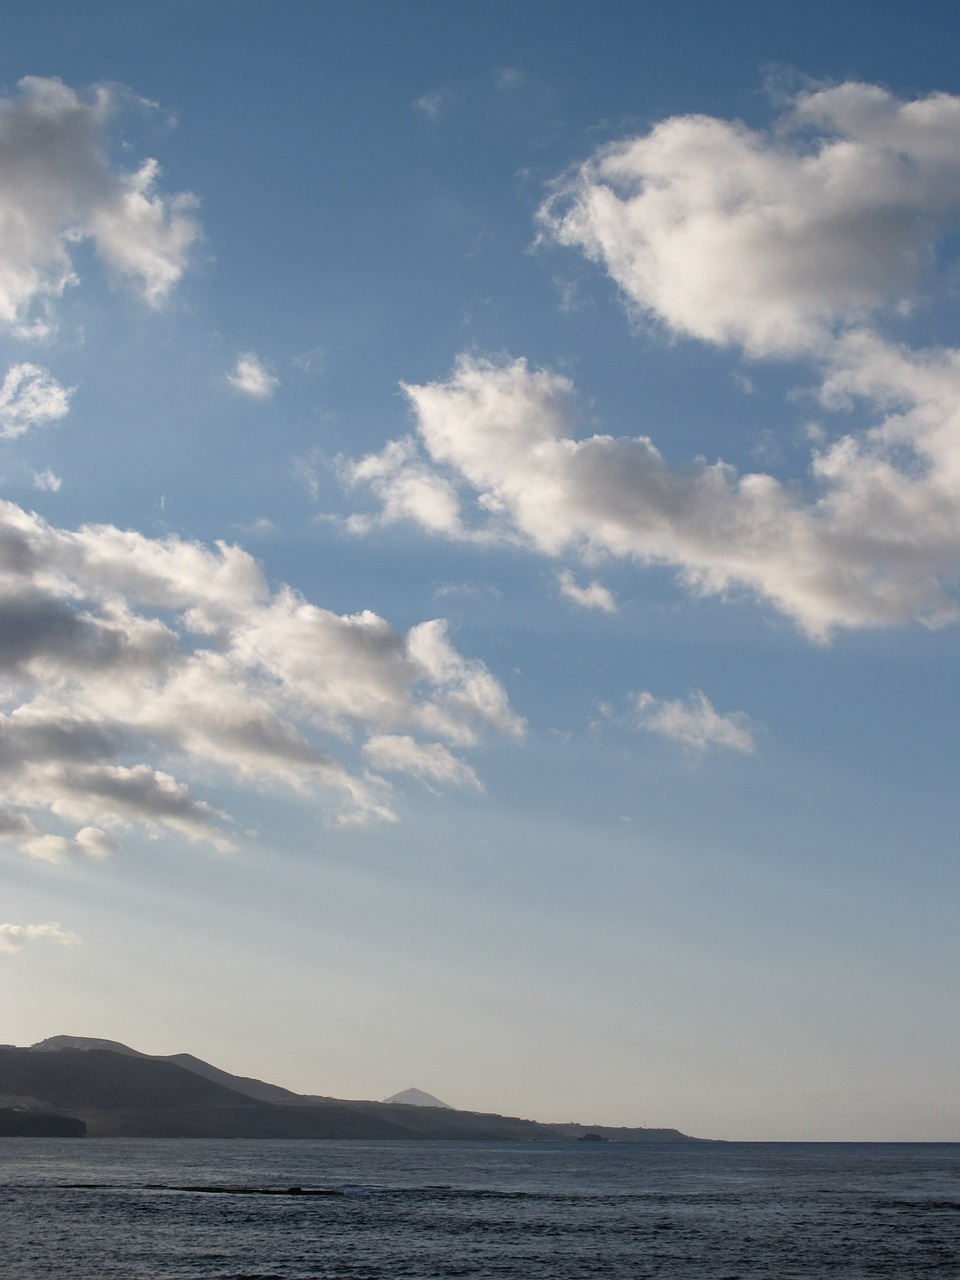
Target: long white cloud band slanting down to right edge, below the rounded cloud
column 496, row 459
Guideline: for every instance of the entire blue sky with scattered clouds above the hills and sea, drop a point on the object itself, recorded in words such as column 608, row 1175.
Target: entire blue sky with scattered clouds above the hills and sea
column 481, row 533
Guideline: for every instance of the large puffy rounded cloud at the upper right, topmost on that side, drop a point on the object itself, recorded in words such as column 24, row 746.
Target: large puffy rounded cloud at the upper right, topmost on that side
column 770, row 240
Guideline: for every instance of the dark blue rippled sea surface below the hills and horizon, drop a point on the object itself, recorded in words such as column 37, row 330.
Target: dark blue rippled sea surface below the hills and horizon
column 98, row 1209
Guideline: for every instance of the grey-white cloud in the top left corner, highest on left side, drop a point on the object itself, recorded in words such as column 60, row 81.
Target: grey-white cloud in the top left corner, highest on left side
column 57, row 189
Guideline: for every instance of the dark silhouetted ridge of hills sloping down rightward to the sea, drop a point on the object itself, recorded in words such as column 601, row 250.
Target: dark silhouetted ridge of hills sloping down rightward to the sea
column 120, row 1092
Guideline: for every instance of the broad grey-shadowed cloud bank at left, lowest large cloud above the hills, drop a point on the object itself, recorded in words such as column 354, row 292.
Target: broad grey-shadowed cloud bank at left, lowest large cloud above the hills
column 129, row 664
